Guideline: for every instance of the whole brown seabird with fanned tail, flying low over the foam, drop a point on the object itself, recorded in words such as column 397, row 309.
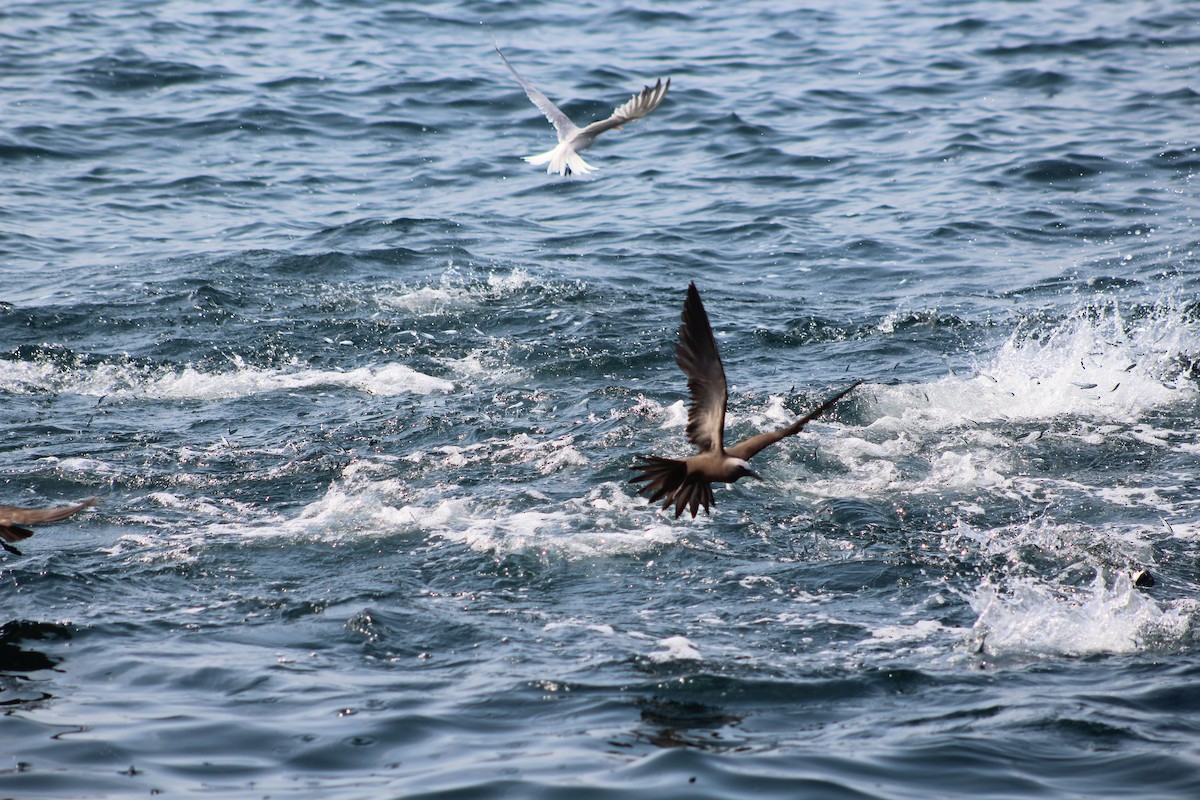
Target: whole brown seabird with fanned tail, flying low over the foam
column 688, row 483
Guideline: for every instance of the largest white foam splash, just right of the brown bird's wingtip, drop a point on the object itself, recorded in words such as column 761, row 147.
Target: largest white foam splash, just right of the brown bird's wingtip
column 1094, row 378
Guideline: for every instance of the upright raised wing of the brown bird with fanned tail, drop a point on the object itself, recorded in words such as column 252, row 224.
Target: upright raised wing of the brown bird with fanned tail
column 698, row 357
